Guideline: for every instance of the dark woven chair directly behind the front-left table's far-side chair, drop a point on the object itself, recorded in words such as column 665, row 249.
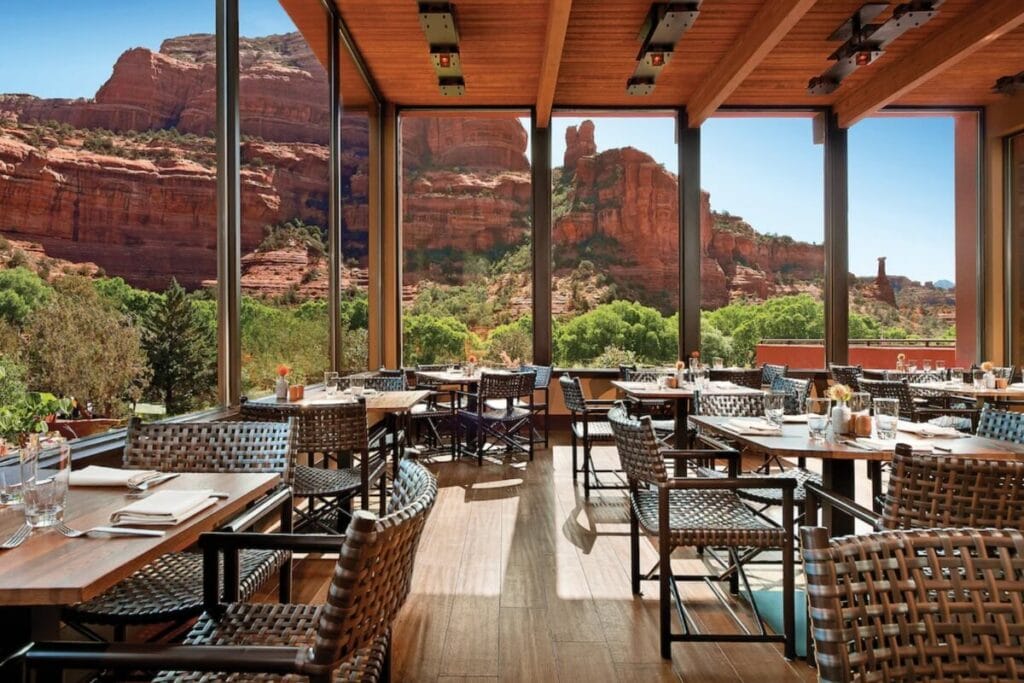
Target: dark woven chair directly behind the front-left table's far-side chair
column 338, row 434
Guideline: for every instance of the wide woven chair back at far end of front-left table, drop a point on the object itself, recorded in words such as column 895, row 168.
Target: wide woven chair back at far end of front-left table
column 209, row 447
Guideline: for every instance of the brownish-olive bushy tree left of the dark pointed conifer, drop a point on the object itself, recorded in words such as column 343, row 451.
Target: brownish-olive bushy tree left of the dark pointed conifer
column 78, row 345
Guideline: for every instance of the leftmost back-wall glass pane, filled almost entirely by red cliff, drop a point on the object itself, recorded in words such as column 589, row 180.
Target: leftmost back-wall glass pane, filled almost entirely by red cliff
column 467, row 276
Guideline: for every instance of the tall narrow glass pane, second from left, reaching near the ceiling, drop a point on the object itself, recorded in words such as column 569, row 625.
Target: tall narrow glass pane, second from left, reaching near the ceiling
column 285, row 130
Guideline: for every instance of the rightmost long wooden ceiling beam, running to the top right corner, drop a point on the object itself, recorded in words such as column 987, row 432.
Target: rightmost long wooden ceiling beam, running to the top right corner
column 978, row 28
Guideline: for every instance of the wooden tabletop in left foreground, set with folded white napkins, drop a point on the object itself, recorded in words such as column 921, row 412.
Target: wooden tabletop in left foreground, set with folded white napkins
column 52, row 570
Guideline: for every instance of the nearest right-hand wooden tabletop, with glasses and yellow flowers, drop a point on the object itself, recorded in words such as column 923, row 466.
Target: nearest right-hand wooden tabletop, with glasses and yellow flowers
column 795, row 443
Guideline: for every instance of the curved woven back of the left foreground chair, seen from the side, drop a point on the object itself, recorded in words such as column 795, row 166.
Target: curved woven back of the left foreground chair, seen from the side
column 374, row 572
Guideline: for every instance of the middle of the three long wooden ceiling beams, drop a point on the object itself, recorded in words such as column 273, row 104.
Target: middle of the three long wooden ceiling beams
column 769, row 28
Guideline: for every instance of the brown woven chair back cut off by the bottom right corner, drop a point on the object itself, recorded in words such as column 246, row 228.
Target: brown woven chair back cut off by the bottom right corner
column 917, row 606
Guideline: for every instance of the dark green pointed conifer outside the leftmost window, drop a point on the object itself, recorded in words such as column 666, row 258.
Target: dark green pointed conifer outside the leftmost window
column 181, row 354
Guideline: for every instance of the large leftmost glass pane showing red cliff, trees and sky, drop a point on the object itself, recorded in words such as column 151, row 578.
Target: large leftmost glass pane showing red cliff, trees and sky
column 108, row 255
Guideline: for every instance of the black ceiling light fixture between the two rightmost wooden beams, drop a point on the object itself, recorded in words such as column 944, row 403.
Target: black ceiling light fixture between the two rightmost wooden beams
column 865, row 42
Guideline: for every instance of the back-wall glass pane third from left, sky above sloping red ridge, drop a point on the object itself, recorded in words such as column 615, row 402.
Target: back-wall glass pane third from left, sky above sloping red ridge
column 762, row 235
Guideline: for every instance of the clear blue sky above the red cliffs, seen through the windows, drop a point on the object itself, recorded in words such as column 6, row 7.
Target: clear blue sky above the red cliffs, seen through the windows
column 766, row 170
